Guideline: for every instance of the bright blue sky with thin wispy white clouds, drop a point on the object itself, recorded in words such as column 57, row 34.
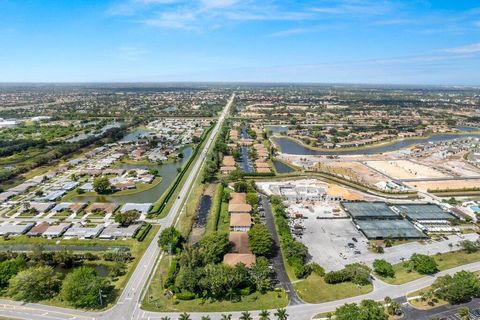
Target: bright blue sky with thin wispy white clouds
column 347, row 41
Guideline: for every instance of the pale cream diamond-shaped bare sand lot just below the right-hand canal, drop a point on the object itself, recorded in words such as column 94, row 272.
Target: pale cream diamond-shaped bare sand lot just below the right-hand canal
column 405, row 169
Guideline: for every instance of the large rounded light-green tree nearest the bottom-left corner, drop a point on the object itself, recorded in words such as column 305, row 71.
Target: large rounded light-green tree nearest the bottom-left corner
column 34, row 284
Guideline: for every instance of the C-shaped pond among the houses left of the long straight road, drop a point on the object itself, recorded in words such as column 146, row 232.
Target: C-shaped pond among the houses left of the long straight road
column 167, row 171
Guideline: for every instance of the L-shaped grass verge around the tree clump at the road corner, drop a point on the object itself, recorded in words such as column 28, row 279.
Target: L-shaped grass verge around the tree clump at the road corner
column 156, row 300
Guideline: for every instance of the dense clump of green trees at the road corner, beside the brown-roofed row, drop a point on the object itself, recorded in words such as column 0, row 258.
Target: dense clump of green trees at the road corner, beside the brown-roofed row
column 198, row 272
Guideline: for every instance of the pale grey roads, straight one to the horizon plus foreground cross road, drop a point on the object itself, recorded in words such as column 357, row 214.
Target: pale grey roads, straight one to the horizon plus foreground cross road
column 128, row 304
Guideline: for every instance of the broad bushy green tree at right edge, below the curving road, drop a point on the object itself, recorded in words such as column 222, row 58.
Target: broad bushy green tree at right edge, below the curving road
column 462, row 287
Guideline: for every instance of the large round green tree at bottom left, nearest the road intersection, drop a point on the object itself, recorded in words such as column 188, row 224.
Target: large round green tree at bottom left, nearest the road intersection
column 83, row 288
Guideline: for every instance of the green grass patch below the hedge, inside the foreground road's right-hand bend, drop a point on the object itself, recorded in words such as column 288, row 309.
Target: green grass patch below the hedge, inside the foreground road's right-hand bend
column 314, row 289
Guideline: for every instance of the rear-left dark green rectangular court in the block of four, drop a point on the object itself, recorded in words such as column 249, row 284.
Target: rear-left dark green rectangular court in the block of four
column 369, row 210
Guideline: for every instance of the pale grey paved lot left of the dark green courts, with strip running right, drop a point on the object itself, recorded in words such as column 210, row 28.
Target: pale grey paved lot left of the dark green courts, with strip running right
column 328, row 242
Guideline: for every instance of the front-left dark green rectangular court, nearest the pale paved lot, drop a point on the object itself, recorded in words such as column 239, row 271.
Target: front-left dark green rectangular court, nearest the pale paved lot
column 389, row 229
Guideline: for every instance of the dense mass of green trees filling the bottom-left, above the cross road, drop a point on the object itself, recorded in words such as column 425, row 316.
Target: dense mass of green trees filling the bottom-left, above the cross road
column 33, row 277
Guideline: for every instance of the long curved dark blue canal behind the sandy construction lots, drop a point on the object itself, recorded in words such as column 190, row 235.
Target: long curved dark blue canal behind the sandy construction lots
column 290, row 146
